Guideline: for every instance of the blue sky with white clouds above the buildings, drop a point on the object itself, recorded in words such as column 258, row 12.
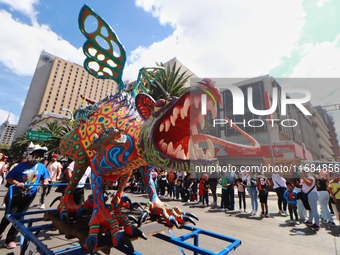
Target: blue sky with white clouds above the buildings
column 214, row 38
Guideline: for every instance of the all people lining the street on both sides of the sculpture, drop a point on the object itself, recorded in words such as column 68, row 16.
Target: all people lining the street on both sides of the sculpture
column 300, row 195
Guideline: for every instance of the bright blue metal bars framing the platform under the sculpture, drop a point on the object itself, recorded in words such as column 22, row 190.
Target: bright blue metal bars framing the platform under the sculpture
column 18, row 221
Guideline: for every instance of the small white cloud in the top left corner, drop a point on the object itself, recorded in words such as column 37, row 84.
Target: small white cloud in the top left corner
column 25, row 7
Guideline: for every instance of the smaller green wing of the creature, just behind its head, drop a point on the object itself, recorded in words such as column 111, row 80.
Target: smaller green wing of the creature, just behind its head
column 146, row 76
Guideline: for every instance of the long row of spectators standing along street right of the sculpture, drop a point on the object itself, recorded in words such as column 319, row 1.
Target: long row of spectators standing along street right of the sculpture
column 318, row 188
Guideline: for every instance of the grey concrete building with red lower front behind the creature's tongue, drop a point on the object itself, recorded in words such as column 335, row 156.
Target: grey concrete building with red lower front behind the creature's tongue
column 300, row 136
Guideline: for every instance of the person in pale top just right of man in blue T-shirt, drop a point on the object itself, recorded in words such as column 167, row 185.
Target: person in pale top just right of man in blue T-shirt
column 54, row 169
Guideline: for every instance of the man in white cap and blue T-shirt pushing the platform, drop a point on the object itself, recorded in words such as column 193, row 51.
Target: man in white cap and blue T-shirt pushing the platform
column 23, row 175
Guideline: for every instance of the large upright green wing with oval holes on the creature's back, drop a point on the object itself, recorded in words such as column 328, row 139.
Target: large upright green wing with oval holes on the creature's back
column 102, row 60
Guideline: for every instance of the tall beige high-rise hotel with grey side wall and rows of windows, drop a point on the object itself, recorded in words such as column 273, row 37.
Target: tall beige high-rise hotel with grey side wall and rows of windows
column 57, row 84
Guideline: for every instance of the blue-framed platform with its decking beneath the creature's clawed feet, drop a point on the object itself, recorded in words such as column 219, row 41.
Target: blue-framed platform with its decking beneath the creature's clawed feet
column 31, row 224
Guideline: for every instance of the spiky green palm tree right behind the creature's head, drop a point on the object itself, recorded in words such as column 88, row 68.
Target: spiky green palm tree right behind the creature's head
column 171, row 81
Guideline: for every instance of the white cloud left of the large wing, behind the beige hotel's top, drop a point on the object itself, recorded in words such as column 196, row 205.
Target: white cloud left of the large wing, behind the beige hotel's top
column 24, row 43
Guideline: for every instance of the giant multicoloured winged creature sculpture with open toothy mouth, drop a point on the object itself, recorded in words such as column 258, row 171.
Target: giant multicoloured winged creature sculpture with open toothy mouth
column 123, row 132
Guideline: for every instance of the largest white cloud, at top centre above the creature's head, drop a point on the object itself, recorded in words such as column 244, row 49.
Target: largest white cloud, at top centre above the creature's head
column 224, row 38
